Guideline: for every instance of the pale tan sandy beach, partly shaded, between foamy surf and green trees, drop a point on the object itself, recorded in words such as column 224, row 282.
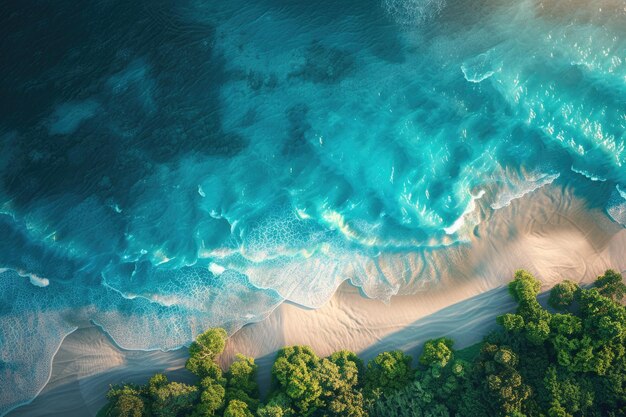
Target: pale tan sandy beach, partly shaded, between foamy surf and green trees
column 550, row 232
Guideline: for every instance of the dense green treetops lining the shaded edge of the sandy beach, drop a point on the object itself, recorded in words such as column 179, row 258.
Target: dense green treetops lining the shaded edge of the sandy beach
column 568, row 361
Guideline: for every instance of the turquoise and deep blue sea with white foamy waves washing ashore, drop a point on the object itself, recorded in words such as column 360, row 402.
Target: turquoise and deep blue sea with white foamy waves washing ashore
column 173, row 165
